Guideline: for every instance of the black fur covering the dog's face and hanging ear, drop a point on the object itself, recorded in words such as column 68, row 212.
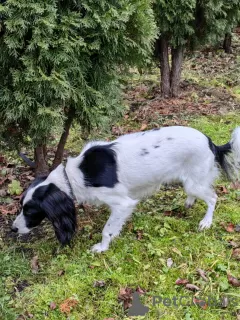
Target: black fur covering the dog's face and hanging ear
column 49, row 201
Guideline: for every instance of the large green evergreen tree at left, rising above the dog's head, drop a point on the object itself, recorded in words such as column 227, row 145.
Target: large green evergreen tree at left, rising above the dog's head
column 62, row 60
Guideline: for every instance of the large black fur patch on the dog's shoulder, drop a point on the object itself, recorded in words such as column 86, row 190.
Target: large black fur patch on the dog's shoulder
column 99, row 167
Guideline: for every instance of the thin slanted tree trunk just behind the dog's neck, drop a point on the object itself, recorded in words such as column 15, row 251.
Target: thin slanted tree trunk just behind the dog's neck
column 60, row 149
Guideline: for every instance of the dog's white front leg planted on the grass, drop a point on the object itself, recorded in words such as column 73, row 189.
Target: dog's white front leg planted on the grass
column 119, row 214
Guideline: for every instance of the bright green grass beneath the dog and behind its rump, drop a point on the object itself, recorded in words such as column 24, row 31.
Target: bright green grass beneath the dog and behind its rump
column 130, row 262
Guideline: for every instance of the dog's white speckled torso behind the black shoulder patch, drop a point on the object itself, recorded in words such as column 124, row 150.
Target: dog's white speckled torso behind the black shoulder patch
column 170, row 154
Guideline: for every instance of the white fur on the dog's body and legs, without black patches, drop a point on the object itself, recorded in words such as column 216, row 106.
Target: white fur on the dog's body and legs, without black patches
column 176, row 154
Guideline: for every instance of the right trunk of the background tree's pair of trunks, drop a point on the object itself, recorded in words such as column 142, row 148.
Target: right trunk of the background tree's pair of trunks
column 177, row 60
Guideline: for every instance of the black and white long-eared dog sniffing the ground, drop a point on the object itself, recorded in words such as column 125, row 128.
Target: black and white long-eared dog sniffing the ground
column 121, row 172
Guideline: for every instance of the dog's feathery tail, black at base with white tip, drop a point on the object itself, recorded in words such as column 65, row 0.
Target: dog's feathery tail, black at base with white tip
column 228, row 156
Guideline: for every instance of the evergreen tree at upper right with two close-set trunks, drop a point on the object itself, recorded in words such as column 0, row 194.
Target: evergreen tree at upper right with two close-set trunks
column 186, row 24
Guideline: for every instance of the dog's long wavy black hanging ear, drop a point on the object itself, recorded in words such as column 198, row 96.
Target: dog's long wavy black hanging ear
column 60, row 210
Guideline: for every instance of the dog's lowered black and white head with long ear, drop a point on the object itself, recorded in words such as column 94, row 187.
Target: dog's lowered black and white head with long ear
column 43, row 199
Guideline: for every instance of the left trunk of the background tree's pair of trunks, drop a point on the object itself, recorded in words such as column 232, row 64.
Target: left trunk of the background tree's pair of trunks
column 164, row 66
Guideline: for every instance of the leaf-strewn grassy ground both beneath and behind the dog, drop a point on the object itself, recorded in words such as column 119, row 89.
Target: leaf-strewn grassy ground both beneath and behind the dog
column 160, row 245
